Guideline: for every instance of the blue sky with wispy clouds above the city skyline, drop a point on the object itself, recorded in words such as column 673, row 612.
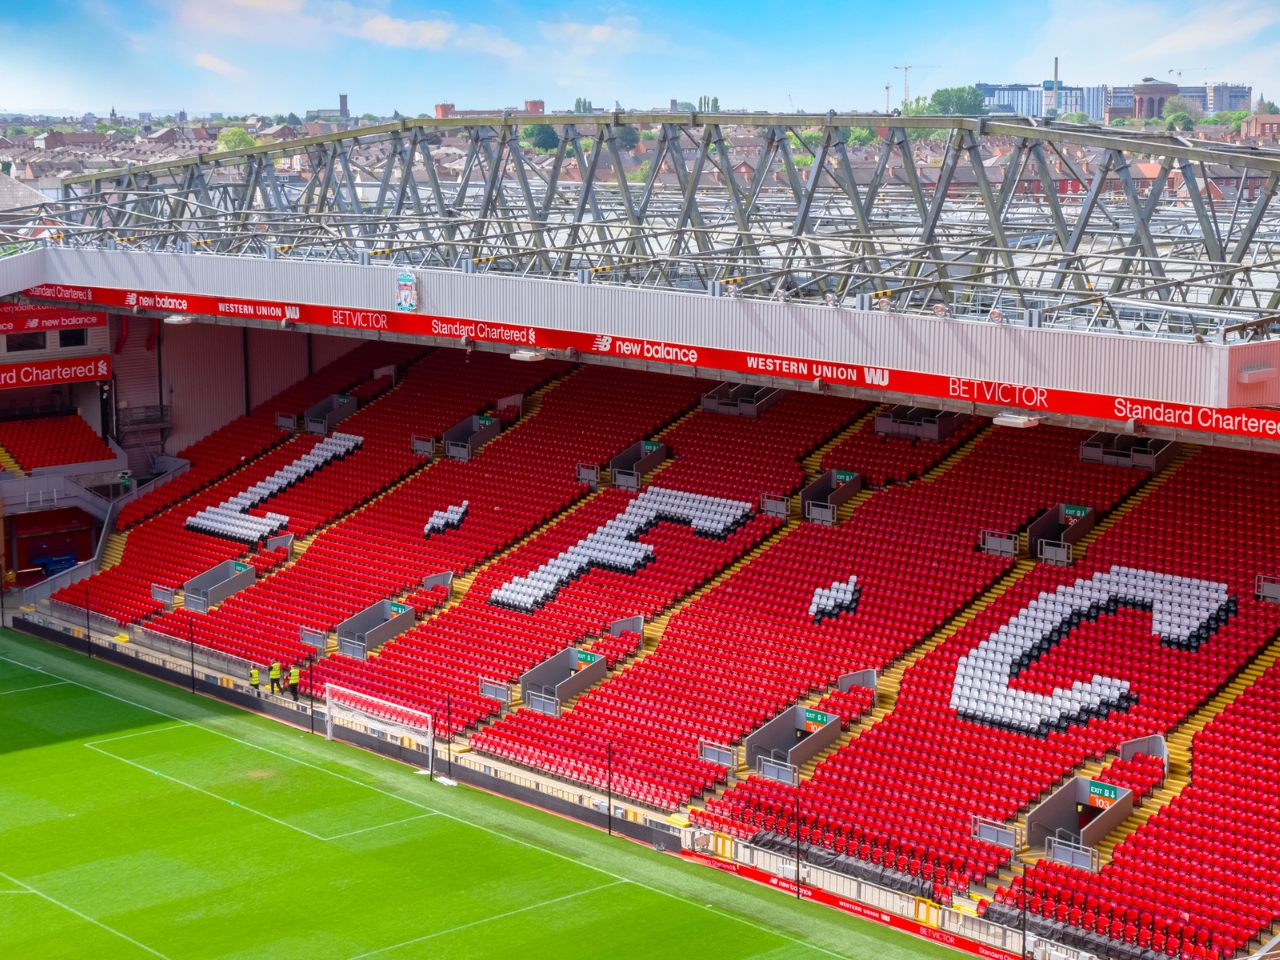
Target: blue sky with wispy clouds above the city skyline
column 281, row 56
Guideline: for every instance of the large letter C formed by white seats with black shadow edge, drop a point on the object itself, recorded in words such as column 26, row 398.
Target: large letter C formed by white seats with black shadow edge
column 1183, row 612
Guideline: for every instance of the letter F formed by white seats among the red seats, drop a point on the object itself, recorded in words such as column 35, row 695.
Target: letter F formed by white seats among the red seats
column 614, row 546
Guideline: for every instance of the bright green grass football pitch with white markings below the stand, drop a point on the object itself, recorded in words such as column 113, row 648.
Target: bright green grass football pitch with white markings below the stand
column 138, row 820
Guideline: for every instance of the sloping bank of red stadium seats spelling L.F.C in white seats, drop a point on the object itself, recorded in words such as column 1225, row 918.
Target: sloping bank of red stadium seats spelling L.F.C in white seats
column 1000, row 678
